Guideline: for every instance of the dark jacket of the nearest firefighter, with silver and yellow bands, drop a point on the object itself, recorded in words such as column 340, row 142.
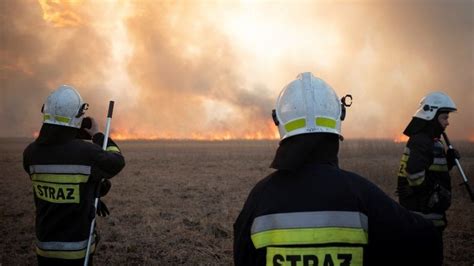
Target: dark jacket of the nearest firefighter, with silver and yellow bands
column 319, row 214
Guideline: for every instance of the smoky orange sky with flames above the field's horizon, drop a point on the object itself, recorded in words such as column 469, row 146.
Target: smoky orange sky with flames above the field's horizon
column 213, row 69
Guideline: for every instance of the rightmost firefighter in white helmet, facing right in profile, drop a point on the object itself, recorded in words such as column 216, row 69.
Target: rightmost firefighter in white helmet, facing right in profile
column 424, row 183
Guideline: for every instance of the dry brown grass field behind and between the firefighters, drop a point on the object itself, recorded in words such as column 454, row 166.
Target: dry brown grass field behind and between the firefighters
column 175, row 201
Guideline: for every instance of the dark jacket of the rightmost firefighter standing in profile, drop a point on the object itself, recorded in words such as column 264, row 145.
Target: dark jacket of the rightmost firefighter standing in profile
column 424, row 184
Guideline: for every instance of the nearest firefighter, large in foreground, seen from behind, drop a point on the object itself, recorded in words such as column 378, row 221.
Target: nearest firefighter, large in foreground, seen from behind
column 311, row 212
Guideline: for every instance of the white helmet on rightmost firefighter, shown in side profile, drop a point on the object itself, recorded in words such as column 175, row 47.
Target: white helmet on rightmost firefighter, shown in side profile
column 432, row 103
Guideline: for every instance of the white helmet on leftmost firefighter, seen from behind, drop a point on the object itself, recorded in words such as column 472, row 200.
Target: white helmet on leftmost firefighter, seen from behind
column 64, row 107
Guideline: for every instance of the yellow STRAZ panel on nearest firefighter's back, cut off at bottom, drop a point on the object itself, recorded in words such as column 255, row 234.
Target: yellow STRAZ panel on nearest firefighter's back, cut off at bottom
column 315, row 256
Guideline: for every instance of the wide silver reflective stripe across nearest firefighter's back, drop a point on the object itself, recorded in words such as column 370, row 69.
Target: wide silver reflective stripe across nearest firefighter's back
column 310, row 220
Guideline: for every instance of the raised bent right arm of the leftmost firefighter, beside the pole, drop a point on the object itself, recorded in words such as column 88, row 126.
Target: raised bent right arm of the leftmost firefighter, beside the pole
column 110, row 161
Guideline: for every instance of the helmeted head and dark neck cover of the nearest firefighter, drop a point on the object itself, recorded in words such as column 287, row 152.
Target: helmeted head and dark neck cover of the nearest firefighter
column 308, row 114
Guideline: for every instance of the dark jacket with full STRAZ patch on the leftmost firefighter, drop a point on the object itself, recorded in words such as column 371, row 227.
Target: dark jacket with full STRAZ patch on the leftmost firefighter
column 65, row 175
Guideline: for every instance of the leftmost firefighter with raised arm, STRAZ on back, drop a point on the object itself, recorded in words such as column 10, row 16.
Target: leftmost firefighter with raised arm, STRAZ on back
column 65, row 172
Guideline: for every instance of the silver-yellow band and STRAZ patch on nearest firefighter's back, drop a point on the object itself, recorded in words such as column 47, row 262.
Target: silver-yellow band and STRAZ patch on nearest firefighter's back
column 276, row 232
